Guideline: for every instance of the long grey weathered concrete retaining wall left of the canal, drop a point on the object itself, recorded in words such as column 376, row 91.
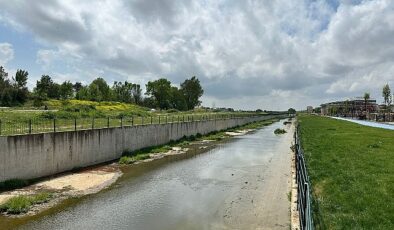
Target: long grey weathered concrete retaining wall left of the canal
column 39, row 155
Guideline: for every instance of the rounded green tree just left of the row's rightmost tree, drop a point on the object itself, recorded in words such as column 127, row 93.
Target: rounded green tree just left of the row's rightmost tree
column 160, row 91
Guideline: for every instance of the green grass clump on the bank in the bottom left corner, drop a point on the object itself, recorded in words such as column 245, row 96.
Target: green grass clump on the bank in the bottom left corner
column 23, row 203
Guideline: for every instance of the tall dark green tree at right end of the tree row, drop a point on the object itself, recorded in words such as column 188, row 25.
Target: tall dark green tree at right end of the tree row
column 192, row 91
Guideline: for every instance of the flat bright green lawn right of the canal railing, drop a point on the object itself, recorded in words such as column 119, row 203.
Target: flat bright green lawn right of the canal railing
column 351, row 168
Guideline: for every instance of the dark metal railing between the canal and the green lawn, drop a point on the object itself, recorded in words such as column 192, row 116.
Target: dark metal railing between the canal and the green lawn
column 304, row 198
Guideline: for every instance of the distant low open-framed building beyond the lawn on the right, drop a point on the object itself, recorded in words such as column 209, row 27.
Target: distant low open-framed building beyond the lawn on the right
column 356, row 107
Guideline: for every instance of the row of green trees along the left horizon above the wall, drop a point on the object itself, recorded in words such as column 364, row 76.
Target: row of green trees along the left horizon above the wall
column 159, row 93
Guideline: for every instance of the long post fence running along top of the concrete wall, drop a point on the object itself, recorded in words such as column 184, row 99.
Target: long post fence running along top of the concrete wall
column 9, row 128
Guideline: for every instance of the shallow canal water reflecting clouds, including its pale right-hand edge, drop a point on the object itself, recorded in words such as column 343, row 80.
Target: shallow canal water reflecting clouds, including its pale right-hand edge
column 241, row 184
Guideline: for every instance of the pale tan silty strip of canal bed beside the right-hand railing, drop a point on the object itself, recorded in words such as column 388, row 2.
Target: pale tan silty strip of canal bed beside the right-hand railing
column 263, row 202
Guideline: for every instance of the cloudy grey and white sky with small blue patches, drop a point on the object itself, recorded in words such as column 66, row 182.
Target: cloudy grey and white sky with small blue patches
column 267, row 54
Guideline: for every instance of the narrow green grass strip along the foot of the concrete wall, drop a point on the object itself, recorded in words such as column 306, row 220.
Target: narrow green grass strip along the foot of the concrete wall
column 129, row 157
